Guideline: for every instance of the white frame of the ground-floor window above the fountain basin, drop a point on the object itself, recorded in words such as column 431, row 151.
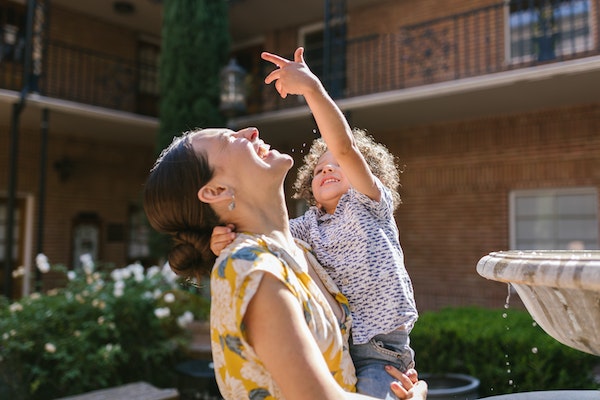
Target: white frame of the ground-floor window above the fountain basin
column 554, row 193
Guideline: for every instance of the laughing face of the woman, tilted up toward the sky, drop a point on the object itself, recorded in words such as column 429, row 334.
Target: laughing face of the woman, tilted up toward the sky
column 240, row 153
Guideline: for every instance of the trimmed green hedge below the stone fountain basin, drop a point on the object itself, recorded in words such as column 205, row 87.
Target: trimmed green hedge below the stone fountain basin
column 505, row 349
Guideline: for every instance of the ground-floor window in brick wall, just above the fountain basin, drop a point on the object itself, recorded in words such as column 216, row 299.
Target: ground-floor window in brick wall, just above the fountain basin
column 557, row 219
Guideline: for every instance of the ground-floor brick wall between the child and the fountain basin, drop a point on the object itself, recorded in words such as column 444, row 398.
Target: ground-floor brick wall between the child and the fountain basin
column 456, row 184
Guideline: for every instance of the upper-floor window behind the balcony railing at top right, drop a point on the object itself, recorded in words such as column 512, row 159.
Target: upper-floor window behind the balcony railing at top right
column 545, row 29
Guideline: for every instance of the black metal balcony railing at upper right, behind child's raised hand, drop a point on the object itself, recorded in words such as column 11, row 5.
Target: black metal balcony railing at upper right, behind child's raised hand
column 505, row 36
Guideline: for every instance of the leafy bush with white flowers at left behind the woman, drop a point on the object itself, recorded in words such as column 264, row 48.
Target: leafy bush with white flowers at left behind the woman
column 103, row 329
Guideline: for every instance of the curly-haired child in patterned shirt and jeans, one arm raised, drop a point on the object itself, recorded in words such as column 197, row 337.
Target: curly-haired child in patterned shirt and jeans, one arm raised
column 351, row 183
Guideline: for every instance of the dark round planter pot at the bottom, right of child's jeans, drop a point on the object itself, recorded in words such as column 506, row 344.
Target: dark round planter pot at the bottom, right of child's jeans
column 451, row 386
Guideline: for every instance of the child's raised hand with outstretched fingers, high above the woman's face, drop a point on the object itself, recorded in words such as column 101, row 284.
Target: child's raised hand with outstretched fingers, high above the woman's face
column 291, row 77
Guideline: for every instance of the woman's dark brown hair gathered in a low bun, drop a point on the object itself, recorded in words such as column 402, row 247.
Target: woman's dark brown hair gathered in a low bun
column 172, row 206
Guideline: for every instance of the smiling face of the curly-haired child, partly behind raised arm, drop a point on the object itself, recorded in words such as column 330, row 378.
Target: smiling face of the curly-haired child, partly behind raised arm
column 329, row 183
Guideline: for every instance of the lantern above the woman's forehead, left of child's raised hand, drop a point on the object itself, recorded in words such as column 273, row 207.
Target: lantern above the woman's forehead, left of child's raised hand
column 233, row 89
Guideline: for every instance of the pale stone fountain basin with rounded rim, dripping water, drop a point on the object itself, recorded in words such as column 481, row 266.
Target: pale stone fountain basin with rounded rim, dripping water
column 560, row 289
